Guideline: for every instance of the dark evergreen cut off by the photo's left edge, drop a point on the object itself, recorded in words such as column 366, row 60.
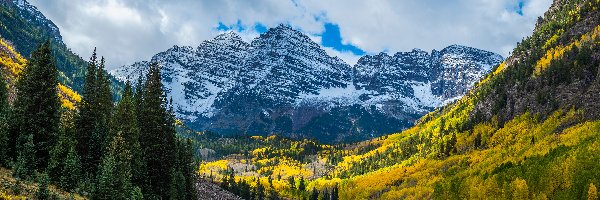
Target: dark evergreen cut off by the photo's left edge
column 4, row 125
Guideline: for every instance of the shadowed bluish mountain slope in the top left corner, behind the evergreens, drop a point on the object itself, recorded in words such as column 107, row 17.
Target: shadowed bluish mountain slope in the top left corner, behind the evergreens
column 26, row 27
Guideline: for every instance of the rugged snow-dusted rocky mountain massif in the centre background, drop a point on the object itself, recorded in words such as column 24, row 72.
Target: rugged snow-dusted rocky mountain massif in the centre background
column 283, row 82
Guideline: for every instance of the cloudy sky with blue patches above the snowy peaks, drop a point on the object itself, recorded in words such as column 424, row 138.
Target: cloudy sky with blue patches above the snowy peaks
column 126, row 31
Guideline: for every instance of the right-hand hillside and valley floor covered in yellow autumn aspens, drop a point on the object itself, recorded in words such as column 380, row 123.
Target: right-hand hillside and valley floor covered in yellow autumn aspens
column 529, row 130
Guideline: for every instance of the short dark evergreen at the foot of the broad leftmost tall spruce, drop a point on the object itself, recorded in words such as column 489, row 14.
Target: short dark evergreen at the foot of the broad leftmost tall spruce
column 25, row 166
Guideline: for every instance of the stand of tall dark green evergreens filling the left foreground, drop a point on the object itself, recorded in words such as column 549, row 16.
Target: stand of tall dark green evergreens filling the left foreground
column 103, row 149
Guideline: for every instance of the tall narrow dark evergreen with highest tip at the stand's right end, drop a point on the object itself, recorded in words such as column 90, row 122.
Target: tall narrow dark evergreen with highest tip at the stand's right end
column 158, row 134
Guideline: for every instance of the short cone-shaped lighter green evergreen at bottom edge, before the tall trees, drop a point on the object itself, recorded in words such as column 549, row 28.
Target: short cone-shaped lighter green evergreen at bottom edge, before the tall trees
column 114, row 176
